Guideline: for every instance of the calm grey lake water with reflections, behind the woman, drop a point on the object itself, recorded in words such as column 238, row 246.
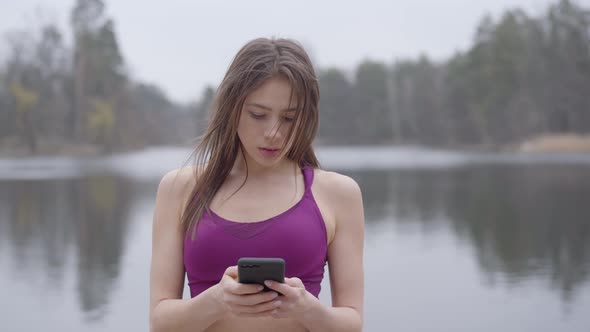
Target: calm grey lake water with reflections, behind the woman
column 454, row 241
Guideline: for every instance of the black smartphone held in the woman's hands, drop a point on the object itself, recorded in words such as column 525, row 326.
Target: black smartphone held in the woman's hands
column 253, row 270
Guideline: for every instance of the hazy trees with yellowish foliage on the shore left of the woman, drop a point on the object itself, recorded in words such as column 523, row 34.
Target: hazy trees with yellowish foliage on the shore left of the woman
column 52, row 93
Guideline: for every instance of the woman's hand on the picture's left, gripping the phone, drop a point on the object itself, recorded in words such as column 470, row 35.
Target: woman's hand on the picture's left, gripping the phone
column 244, row 300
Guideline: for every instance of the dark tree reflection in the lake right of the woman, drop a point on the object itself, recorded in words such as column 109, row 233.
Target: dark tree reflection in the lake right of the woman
column 525, row 223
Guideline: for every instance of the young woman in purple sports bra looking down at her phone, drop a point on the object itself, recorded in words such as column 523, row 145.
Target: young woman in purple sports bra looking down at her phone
column 256, row 190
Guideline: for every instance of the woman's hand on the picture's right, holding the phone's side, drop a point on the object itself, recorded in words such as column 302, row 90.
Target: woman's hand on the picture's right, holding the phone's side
column 295, row 299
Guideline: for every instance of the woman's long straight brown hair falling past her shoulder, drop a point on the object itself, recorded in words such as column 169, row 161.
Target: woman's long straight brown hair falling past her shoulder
column 216, row 152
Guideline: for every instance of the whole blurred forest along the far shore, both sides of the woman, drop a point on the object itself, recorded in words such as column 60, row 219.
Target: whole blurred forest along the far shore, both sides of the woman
column 522, row 77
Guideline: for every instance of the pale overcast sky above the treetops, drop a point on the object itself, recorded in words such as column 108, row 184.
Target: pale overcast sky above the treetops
column 184, row 45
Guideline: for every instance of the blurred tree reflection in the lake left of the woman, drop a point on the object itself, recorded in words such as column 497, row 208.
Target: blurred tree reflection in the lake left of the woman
column 47, row 219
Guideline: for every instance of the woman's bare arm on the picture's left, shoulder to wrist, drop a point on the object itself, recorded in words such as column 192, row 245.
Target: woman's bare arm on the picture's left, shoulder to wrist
column 168, row 311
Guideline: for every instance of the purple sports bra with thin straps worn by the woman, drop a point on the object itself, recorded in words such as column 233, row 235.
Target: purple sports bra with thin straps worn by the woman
column 297, row 235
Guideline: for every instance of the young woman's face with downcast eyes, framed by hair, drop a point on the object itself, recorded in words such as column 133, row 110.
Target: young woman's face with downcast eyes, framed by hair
column 265, row 121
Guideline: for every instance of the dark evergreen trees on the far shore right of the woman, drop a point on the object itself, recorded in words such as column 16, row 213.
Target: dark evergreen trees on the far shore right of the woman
column 523, row 76
